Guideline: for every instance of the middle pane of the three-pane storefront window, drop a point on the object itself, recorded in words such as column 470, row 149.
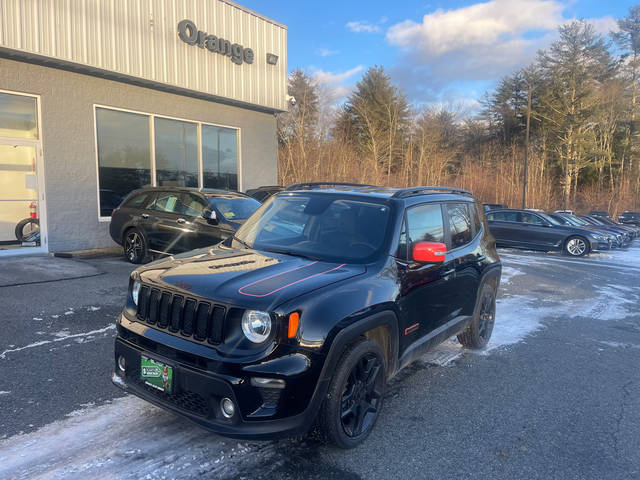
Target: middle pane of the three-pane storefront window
column 176, row 153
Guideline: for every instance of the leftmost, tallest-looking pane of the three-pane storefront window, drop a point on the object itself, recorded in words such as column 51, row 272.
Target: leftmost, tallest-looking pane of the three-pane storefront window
column 124, row 158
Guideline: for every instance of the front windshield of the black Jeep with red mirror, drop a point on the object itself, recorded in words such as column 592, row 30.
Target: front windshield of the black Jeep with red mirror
column 330, row 228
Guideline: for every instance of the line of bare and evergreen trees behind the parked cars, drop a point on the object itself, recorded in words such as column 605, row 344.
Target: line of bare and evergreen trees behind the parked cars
column 572, row 114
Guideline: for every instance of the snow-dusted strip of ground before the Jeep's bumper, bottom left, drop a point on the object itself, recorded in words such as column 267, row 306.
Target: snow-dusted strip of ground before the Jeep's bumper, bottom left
column 126, row 439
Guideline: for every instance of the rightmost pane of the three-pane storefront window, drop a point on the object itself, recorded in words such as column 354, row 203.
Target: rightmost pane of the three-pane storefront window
column 220, row 157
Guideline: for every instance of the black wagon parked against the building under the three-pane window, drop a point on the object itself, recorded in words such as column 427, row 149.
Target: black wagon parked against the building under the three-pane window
column 166, row 220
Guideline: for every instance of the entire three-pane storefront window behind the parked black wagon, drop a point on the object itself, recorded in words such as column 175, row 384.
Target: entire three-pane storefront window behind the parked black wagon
column 126, row 162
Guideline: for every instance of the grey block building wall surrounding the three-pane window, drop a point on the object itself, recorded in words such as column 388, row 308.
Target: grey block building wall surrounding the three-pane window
column 68, row 141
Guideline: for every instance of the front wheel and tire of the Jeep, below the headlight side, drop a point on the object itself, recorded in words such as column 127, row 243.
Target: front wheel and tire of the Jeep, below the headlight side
column 355, row 395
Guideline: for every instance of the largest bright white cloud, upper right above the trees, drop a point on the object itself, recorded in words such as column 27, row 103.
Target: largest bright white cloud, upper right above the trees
column 478, row 42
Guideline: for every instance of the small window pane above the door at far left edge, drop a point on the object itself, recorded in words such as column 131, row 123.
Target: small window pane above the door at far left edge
column 18, row 116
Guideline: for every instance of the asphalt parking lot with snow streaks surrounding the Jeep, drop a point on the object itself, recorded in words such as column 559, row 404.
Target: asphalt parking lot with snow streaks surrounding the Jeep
column 556, row 394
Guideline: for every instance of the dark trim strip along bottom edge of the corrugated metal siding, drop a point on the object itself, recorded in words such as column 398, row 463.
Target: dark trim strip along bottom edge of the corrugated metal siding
column 33, row 58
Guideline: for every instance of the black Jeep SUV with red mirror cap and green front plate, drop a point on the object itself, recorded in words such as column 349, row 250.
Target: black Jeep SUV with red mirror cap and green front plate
column 323, row 294
